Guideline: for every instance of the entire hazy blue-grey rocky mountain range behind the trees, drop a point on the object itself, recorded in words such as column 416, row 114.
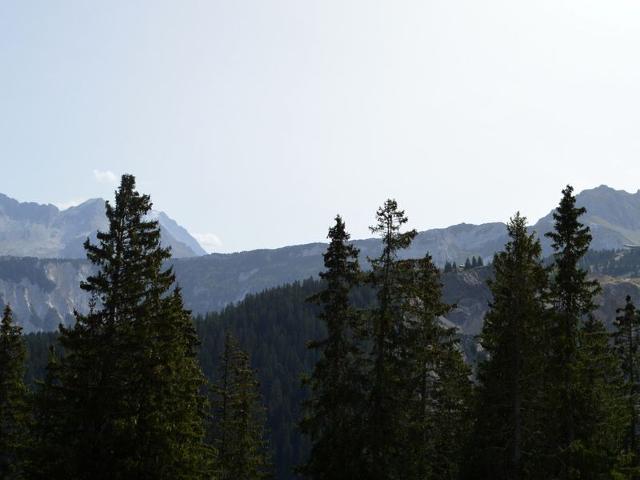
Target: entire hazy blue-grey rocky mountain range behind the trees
column 44, row 292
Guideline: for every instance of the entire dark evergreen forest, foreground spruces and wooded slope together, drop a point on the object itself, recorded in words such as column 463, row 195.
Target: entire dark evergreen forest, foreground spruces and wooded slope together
column 352, row 375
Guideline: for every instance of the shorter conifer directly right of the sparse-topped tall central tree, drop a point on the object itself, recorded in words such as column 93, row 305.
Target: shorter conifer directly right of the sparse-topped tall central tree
column 434, row 395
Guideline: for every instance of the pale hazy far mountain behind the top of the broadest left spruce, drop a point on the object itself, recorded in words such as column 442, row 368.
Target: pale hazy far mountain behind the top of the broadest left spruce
column 44, row 231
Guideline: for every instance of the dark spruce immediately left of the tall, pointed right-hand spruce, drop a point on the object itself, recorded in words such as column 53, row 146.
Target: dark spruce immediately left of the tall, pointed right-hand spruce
column 506, row 442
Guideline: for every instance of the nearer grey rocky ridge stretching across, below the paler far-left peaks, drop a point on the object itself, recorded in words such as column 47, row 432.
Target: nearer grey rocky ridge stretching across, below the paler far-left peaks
column 212, row 282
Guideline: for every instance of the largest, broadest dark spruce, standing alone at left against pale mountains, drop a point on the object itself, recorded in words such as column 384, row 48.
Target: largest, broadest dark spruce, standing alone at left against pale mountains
column 129, row 376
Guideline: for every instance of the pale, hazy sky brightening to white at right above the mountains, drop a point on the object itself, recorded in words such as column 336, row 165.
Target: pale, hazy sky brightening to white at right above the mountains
column 253, row 122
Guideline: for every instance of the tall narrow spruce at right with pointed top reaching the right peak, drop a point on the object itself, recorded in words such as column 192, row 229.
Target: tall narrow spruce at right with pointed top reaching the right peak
column 572, row 300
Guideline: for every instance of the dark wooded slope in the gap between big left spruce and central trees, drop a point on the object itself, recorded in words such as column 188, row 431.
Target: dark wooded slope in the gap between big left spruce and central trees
column 275, row 327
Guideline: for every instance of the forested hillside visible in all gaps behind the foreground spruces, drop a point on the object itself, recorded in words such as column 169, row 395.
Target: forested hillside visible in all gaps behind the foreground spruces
column 274, row 327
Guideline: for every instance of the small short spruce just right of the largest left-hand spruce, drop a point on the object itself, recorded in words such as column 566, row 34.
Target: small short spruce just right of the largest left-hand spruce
column 238, row 418
